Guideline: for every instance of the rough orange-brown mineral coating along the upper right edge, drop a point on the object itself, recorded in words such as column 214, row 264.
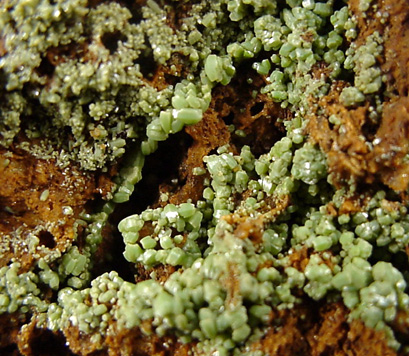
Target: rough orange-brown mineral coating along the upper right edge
column 357, row 150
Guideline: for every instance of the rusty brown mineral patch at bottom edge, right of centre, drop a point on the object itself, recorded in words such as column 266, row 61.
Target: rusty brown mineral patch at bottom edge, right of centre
column 307, row 331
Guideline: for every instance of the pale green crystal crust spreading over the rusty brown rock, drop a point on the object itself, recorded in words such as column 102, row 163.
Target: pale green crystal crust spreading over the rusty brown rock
column 92, row 100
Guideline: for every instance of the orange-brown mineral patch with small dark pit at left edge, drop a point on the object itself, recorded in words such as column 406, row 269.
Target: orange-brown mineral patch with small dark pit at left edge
column 36, row 192
